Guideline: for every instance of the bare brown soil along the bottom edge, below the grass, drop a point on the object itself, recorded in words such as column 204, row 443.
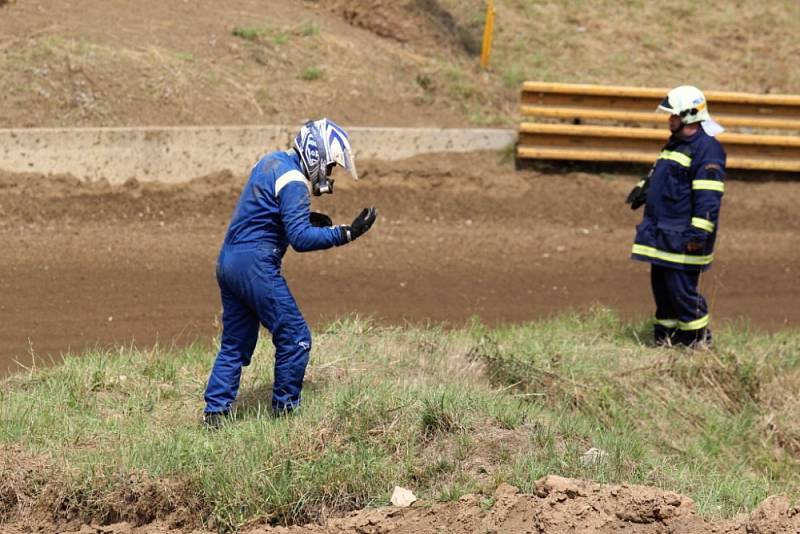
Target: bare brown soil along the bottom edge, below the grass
column 33, row 499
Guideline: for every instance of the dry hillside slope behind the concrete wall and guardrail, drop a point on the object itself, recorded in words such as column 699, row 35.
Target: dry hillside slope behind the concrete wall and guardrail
column 374, row 62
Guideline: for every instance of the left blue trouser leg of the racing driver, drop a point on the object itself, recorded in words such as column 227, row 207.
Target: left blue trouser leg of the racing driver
column 239, row 336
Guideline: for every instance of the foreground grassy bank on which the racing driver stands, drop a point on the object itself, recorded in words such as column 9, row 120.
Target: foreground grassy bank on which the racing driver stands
column 412, row 407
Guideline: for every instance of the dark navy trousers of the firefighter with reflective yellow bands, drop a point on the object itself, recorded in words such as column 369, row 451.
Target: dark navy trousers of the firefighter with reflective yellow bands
column 679, row 302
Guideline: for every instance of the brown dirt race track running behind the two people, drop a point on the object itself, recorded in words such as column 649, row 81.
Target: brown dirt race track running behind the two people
column 88, row 265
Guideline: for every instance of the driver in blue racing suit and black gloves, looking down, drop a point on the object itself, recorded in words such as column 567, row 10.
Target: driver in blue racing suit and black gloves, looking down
column 273, row 212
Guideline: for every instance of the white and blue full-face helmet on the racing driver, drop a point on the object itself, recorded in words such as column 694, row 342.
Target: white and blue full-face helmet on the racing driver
column 323, row 144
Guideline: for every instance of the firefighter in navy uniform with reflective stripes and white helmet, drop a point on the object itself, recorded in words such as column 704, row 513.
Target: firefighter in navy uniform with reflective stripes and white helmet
column 682, row 197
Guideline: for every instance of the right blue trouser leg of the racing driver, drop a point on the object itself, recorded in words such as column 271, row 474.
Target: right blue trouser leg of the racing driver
column 279, row 313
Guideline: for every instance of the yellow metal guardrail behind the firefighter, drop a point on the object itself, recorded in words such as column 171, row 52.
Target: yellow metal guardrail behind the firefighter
column 568, row 129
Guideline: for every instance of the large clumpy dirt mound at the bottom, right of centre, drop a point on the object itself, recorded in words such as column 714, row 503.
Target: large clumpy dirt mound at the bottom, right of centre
column 559, row 505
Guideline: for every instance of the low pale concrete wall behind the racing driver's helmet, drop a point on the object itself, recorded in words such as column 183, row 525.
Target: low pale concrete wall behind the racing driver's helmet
column 178, row 154
